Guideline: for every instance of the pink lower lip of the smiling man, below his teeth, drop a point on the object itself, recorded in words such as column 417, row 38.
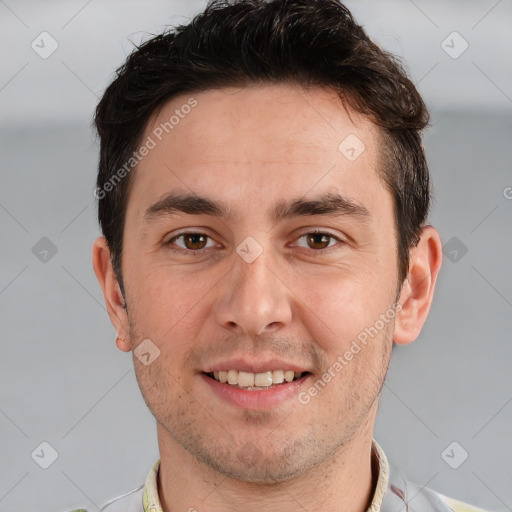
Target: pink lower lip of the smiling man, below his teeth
column 256, row 400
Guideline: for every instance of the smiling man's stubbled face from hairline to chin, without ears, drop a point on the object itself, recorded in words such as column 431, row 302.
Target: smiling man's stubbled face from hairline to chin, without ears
column 267, row 275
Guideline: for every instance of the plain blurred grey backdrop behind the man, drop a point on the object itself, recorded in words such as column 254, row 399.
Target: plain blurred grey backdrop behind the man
column 63, row 381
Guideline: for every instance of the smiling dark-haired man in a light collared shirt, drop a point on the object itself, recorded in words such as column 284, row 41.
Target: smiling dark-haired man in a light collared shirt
column 263, row 195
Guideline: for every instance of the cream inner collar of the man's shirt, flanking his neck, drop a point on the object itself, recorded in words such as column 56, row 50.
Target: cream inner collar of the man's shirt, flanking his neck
column 151, row 501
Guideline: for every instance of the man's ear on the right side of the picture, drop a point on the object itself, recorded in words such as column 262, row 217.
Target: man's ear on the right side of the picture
column 418, row 289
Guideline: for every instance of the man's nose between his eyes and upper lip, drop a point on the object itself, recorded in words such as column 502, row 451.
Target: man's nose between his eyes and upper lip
column 254, row 298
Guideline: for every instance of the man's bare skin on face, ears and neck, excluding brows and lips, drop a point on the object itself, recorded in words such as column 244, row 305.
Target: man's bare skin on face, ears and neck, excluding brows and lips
column 251, row 147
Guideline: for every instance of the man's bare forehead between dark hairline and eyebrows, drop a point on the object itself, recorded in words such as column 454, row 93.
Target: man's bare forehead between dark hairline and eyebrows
column 254, row 145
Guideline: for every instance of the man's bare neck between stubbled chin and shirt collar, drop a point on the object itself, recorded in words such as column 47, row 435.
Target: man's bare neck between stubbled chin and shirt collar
column 344, row 481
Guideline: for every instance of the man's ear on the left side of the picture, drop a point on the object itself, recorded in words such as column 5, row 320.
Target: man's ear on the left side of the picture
column 114, row 300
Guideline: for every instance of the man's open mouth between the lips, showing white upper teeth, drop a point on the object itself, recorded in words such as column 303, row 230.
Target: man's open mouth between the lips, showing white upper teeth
column 261, row 381
